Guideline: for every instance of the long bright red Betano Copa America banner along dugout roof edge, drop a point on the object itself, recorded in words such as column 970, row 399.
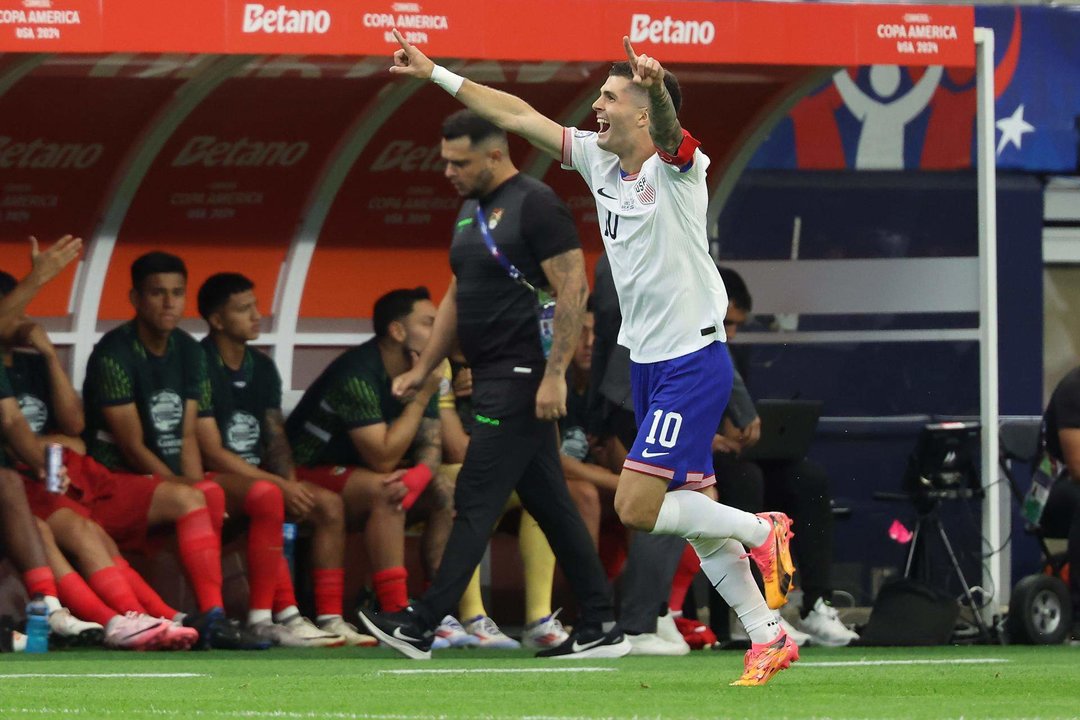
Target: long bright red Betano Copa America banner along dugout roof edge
column 677, row 32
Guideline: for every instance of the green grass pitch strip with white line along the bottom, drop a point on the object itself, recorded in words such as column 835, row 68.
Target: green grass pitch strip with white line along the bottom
column 373, row 685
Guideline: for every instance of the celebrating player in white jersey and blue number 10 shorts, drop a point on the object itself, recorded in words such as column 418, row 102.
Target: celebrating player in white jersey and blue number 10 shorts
column 649, row 179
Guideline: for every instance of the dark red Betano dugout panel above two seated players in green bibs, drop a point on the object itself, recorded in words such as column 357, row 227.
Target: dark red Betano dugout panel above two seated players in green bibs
column 232, row 184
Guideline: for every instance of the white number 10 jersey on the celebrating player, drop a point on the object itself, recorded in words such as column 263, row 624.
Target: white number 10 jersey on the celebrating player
column 654, row 228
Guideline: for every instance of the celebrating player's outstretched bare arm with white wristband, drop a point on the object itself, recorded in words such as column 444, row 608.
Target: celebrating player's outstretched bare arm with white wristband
column 508, row 112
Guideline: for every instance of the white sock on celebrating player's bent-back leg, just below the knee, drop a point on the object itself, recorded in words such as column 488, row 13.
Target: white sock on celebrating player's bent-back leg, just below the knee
column 693, row 515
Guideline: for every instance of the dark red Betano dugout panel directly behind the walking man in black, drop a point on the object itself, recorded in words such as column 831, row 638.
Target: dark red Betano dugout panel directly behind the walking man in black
column 391, row 223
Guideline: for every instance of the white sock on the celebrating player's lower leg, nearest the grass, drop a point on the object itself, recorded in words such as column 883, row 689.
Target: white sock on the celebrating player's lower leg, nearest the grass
column 728, row 570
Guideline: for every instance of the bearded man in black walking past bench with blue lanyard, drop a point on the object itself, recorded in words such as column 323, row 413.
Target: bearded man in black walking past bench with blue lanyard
column 512, row 236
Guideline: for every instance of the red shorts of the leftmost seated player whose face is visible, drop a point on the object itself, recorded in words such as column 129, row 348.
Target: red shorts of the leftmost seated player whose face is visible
column 119, row 502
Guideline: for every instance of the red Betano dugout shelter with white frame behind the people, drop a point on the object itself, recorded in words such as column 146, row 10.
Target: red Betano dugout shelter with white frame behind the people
column 268, row 138
